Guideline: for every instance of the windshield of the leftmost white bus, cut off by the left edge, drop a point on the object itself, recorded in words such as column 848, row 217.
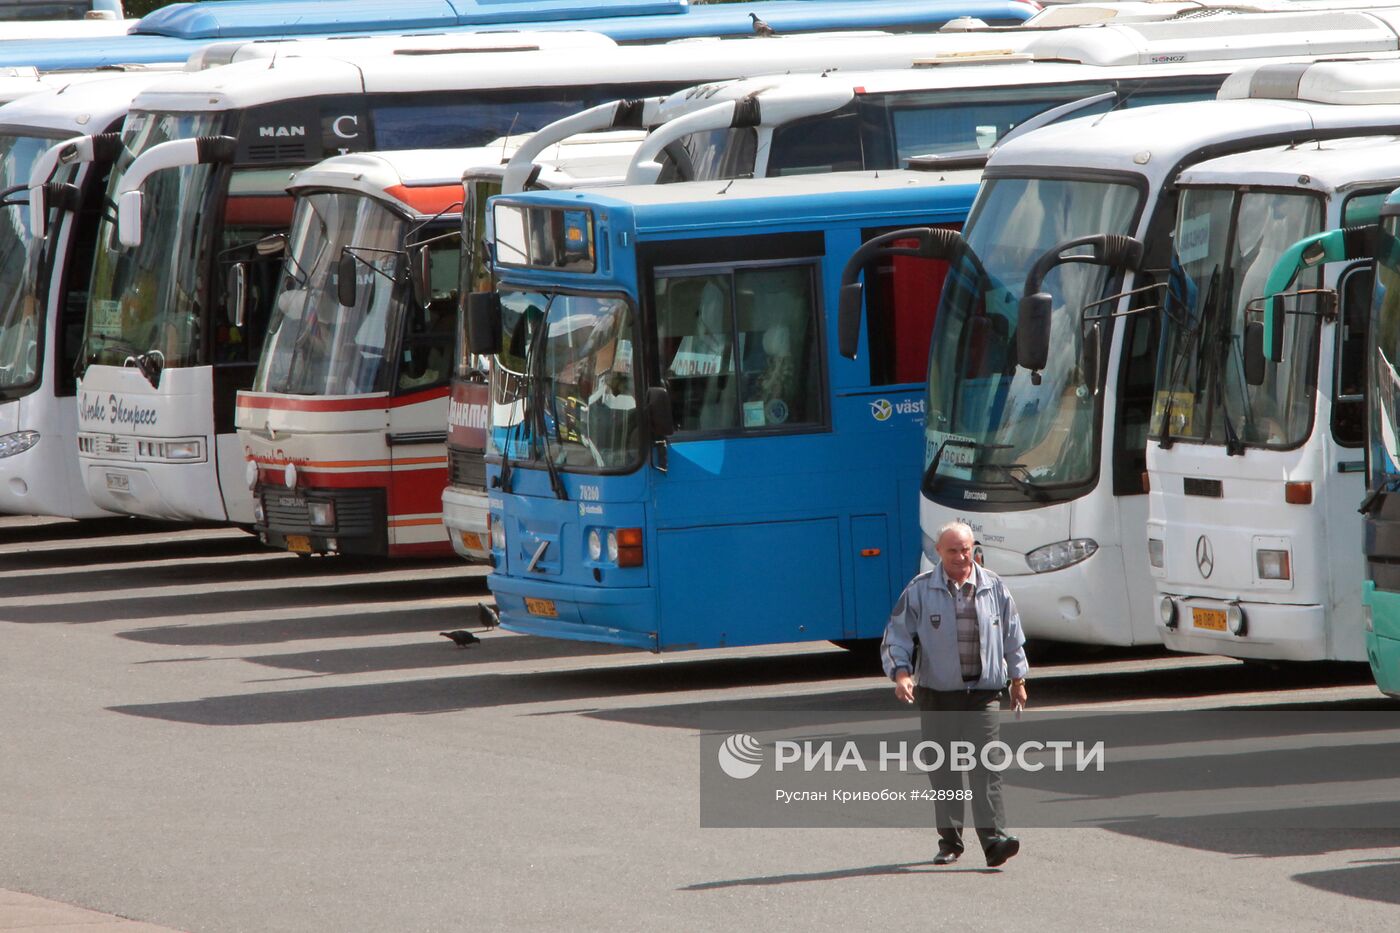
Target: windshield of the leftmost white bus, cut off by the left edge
column 22, row 320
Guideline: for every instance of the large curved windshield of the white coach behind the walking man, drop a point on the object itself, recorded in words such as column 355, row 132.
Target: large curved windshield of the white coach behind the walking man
column 989, row 421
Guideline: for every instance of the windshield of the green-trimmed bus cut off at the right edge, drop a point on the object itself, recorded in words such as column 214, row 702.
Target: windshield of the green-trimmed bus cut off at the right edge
column 1385, row 364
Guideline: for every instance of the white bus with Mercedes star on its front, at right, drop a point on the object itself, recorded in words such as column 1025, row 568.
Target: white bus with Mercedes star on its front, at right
column 1256, row 467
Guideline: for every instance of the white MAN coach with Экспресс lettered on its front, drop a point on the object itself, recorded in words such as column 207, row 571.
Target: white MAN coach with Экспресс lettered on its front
column 159, row 345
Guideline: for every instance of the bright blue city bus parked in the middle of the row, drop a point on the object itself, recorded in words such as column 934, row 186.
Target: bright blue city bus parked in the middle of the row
column 691, row 462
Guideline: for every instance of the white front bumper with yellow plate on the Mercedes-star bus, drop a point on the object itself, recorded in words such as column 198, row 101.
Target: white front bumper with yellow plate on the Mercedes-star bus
column 1272, row 631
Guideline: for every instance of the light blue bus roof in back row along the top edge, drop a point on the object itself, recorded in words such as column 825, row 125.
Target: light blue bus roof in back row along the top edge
column 176, row 33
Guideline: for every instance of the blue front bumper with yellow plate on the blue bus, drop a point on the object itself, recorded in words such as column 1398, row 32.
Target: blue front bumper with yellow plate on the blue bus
column 621, row 616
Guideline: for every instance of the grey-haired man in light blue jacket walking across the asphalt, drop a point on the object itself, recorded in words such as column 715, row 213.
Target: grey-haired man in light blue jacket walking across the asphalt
column 954, row 644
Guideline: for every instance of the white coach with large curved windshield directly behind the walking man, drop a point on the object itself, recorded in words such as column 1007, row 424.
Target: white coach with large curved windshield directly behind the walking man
column 1046, row 459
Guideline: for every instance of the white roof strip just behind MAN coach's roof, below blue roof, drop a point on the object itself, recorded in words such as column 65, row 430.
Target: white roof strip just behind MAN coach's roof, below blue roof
column 360, row 47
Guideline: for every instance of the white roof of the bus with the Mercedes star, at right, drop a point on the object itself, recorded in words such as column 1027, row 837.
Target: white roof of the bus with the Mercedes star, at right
column 1326, row 166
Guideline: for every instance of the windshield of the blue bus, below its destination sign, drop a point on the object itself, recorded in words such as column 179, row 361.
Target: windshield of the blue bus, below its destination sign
column 563, row 386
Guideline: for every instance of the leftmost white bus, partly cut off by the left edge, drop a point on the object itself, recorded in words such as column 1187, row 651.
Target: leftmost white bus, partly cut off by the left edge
column 47, row 240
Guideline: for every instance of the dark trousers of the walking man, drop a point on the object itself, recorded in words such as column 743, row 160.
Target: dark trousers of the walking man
column 967, row 717
